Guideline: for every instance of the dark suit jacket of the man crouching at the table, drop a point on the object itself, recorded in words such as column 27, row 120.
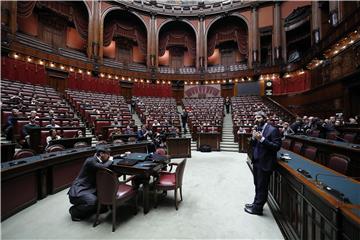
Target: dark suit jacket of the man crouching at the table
column 85, row 182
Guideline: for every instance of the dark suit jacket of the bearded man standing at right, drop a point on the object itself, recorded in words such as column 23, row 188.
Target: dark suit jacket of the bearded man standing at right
column 268, row 148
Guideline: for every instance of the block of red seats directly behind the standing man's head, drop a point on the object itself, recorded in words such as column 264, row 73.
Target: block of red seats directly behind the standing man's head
column 244, row 107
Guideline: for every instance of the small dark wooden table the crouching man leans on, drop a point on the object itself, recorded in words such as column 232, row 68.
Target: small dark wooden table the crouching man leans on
column 144, row 171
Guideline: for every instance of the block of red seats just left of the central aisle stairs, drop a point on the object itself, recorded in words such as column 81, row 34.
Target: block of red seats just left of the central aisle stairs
column 163, row 110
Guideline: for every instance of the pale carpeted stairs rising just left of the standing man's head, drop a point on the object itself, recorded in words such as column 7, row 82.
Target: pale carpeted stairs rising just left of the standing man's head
column 227, row 144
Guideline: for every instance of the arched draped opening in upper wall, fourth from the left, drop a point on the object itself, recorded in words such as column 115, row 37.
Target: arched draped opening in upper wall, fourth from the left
column 227, row 43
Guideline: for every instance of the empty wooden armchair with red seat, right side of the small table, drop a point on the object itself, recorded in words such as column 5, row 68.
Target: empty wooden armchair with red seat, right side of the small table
column 168, row 180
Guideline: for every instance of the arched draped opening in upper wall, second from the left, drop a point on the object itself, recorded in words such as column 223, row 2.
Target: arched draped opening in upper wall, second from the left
column 125, row 38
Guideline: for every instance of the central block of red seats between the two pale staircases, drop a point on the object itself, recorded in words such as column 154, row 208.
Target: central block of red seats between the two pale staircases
column 205, row 115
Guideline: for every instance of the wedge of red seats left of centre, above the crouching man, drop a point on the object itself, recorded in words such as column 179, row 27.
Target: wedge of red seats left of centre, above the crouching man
column 100, row 110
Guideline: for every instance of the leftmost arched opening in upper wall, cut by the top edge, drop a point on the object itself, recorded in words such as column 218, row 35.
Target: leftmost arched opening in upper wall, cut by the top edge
column 59, row 24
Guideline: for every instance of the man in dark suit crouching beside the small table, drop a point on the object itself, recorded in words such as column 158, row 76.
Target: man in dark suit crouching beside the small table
column 82, row 193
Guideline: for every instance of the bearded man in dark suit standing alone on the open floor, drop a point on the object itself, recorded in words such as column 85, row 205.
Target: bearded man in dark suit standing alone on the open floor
column 266, row 141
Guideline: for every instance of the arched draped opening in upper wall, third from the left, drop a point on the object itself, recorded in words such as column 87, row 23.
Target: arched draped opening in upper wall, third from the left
column 177, row 47
